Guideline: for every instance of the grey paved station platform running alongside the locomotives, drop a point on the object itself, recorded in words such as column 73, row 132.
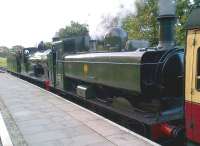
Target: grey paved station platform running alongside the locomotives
column 37, row 117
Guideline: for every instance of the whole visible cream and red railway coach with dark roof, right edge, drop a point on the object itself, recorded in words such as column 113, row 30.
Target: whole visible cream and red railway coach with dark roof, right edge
column 192, row 78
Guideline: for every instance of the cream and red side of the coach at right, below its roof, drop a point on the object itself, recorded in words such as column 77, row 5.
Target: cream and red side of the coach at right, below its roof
column 192, row 83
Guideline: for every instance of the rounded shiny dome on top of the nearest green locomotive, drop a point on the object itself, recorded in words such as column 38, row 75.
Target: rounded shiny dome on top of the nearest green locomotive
column 116, row 39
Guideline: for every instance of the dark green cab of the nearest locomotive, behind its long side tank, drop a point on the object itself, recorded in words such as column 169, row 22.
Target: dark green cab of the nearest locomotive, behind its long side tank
column 61, row 48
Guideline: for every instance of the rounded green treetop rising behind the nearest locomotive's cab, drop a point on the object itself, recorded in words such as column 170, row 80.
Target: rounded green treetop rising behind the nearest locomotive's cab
column 74, row 29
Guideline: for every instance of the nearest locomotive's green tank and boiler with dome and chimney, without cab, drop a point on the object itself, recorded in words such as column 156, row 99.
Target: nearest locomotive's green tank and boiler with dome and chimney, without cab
column 149, row 78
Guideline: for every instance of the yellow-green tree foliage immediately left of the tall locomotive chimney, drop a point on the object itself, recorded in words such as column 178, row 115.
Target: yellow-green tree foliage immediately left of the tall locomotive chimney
column 144, row 24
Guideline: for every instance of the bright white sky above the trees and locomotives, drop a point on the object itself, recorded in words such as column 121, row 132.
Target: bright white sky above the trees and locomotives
column 27, row 22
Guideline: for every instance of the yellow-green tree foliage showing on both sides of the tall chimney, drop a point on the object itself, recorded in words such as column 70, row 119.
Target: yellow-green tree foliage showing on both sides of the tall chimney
column 144, row 24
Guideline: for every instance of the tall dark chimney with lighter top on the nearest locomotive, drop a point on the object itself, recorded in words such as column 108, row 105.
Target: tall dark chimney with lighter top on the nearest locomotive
column 167, row 19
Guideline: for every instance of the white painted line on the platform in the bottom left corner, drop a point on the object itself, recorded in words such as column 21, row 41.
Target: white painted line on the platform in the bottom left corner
column 5, row 137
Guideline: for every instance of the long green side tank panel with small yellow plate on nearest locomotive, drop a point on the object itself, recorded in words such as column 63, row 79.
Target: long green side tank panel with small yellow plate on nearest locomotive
column 118, row 69
